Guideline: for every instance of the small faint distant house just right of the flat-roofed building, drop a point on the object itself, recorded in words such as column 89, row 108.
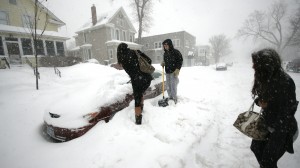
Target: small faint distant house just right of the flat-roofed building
column 203, row 55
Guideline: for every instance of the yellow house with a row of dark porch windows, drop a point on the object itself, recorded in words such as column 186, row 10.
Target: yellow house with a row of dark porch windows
column 16, row 42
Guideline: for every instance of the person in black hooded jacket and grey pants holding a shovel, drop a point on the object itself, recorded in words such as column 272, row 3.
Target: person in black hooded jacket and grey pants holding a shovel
column 172, row 63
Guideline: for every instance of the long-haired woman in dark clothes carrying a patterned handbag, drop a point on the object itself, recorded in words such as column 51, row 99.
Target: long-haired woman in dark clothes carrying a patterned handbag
column 275, row 92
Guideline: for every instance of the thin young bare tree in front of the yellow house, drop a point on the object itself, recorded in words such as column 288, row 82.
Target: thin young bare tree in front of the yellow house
column 36, row 28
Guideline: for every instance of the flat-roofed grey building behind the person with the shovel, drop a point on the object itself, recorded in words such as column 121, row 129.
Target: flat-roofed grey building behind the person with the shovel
column 183, row 41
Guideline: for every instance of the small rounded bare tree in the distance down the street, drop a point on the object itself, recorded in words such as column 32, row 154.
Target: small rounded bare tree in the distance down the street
column 220, row 45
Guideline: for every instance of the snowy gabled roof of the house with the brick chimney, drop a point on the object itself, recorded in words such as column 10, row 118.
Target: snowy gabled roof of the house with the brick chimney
column 104, row 19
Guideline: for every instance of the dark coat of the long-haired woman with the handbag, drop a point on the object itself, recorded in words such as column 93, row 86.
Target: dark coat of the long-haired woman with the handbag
column 282, row 106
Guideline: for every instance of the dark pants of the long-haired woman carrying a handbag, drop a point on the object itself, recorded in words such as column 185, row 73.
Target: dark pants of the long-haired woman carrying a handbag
column 269, row 152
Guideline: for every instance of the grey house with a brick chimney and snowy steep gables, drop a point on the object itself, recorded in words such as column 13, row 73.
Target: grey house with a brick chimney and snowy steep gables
column 100, row 37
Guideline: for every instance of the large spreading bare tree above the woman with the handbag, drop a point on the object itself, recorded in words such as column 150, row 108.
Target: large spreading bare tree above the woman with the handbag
column 269, row 26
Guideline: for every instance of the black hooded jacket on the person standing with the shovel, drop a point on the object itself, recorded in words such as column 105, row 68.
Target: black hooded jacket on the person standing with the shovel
column 172, row 58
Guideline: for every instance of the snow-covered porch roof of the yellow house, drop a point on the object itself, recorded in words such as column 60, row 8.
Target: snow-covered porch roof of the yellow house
column 23, row 30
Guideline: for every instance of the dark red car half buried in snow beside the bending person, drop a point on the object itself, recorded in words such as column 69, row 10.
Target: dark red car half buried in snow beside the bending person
column 55, row 128
